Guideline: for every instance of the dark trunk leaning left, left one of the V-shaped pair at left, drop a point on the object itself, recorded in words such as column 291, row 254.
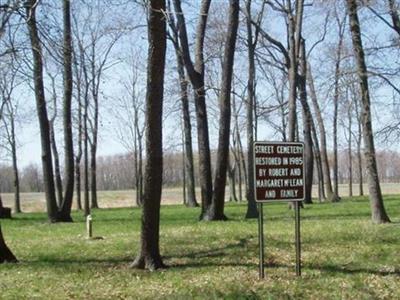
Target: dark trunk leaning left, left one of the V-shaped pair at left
column 42, row 112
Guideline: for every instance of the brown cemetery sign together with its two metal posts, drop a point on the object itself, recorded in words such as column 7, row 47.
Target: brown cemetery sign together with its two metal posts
column 279, row 176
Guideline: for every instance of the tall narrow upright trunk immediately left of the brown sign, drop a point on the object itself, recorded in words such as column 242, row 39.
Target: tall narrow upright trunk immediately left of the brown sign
column 252, row 211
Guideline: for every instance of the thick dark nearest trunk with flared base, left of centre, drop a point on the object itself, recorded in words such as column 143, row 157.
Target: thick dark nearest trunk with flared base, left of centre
column 149, row 254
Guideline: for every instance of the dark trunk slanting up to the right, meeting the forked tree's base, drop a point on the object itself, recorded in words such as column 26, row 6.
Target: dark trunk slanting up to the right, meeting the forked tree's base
column 216, row 210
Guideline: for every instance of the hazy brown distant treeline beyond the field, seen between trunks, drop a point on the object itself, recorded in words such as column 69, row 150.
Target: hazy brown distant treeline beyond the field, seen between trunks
column 117, row 172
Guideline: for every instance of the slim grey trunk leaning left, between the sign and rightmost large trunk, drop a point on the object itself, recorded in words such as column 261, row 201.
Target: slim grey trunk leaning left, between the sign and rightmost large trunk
column 331, row 196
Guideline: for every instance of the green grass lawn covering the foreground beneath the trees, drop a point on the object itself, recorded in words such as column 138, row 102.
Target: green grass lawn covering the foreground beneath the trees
column 344, row 255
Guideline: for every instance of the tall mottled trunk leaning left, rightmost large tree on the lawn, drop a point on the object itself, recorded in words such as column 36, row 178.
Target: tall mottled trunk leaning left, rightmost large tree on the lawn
column 378, row 211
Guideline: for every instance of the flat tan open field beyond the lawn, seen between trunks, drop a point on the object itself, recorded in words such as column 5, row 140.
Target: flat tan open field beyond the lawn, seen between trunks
column 35, row 202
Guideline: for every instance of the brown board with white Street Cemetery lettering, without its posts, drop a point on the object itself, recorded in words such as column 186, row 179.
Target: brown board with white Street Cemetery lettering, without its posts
column 279, row 171
